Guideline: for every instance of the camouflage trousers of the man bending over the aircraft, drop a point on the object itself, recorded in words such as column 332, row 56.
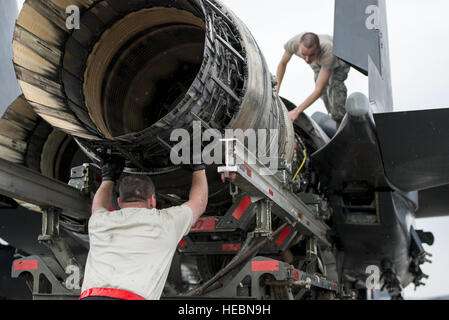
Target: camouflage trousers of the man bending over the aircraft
column 335, row 93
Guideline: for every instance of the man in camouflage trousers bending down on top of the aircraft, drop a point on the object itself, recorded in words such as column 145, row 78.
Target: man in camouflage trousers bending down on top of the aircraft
column 330, row 73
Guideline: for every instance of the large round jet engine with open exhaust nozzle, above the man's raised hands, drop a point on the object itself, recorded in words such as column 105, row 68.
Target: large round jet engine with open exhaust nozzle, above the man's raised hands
column 136, row 70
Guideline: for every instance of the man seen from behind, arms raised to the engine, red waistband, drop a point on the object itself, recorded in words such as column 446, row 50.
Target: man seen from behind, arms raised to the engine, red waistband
column 131, row 249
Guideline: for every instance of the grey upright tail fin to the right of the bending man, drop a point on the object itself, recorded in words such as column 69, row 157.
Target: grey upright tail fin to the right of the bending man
column 361, row 39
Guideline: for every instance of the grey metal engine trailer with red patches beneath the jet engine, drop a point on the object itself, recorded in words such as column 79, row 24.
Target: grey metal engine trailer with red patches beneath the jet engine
column 265, row 209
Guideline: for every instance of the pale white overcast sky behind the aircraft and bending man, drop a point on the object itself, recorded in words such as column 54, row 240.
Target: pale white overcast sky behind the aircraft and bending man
column 418, row 32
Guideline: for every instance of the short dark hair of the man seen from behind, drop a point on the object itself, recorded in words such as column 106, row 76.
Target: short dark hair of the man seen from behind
column 135, row 188
